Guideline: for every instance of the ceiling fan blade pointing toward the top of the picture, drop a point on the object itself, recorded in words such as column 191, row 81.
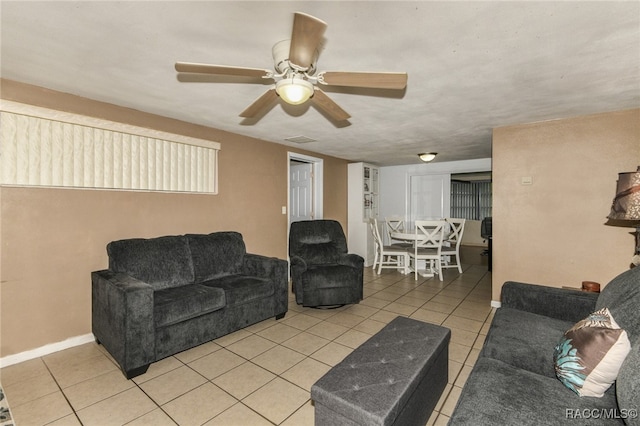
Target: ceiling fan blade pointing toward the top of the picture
column 305, row 38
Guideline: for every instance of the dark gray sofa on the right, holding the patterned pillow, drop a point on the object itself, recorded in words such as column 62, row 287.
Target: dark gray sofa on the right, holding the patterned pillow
column 513, row 381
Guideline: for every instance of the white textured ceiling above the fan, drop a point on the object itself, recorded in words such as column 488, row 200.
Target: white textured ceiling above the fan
column 472, row 66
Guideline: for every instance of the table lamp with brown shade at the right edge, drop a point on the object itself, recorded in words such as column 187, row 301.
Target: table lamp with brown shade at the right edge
column 625, row 208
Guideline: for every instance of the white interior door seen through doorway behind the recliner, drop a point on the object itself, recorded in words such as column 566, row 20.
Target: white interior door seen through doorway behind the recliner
column 300, row 192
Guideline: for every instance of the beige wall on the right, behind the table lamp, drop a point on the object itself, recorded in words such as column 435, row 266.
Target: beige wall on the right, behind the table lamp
column 553, row 232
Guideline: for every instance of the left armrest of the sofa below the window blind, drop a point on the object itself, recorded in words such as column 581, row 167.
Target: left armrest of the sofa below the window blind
column 122, row 319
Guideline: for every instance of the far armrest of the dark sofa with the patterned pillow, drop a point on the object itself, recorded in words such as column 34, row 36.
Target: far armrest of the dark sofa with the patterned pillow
column 560, row 303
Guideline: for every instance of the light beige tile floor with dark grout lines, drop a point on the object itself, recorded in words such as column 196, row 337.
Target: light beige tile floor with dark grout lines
column 261, row 375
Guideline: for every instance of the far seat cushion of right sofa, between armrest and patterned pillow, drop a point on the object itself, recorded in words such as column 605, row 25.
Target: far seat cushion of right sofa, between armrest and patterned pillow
column 524, row 340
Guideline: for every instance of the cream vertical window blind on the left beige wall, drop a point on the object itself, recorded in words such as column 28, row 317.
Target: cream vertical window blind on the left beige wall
column 42, row 151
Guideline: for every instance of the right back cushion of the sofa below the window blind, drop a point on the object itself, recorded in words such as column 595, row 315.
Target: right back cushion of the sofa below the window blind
column 216, row 254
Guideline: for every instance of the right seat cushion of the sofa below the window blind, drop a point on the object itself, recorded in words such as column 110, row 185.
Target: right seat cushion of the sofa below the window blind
column 241, row 289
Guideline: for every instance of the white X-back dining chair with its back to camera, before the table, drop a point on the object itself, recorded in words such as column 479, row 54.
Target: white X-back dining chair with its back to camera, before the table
column 428, row 245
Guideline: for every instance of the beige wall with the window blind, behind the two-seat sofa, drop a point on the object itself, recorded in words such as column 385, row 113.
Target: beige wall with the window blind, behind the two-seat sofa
column 51, row 239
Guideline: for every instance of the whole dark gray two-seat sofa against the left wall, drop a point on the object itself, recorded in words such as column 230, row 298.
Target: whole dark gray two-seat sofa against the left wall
column 163, row 295
